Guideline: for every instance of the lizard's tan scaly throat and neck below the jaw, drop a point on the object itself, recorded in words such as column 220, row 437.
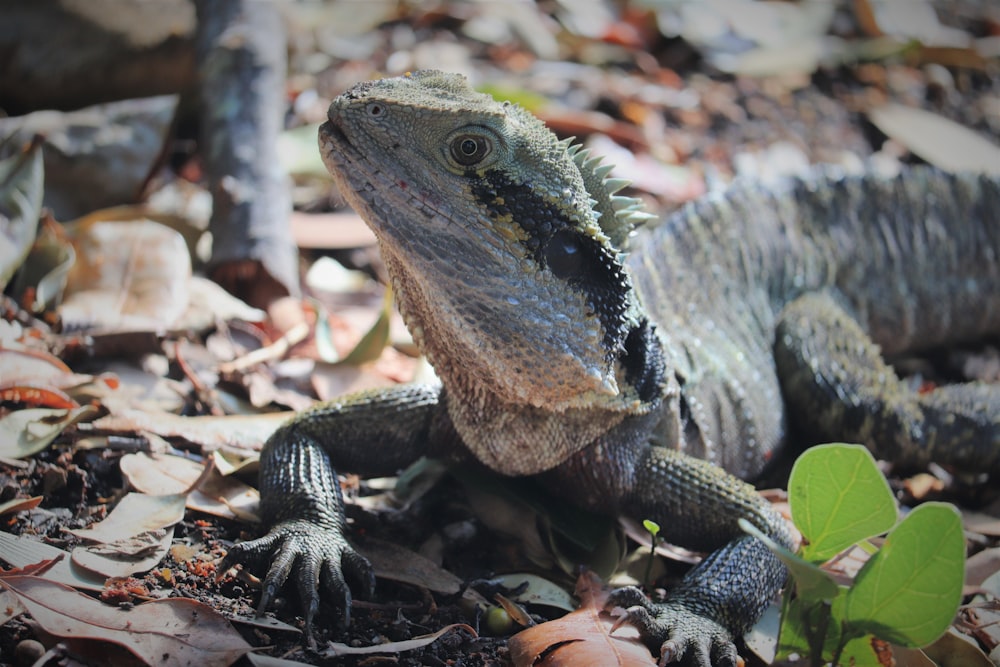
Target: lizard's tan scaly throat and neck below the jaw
column 514, row 434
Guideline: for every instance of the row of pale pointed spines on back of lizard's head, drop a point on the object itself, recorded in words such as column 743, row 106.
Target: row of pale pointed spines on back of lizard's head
column 619, row 215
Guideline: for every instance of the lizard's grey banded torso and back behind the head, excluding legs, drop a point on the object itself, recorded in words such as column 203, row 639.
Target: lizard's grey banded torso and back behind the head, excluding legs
column 915, row 258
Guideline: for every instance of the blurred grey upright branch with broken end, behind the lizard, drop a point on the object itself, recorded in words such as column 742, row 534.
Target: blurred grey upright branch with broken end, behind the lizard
column 240, row 47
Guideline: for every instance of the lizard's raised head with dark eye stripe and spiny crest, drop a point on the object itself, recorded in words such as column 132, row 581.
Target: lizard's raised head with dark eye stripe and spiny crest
column 500, row 239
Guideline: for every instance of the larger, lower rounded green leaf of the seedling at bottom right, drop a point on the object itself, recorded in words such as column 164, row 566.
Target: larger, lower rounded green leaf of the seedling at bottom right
column 908, row 593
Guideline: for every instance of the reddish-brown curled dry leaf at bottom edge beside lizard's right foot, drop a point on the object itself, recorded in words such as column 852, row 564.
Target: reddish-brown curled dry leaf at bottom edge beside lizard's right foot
column 582, row 638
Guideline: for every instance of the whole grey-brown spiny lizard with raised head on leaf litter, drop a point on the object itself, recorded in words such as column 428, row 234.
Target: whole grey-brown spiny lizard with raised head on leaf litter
column 647, row 376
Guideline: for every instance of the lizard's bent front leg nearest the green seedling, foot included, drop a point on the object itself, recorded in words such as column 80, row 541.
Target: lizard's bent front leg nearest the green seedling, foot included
column 698, row 506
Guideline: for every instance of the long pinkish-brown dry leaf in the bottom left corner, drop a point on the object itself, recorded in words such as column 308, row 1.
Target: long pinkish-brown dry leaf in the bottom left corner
column 166, row 633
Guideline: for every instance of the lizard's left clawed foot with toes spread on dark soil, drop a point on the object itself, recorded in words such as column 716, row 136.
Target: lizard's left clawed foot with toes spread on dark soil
column 320, row 556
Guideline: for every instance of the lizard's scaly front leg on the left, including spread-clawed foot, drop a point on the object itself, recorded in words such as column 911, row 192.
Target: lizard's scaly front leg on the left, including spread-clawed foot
column 372, row 433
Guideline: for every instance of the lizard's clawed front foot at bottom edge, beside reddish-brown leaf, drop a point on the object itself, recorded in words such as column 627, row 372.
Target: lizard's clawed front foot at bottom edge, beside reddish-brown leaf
column 681, row 635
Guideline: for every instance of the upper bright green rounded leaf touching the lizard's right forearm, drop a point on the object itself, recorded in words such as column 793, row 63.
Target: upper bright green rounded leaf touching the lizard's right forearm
column 838, row 497
